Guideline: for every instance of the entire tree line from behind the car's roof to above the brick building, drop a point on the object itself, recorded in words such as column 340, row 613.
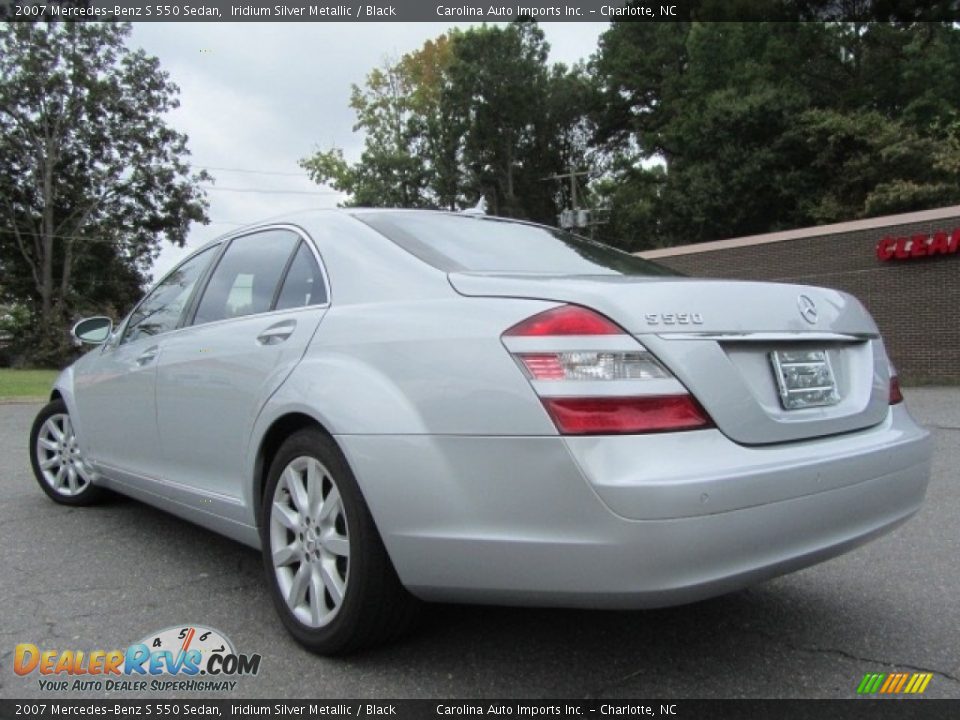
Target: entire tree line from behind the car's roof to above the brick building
column 693, row 130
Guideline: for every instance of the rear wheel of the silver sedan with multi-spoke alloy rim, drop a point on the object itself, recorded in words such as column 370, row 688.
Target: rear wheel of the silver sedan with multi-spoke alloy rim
column 331, row 580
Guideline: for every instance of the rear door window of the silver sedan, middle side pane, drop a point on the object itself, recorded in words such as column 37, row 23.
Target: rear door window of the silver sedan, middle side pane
column 246, row 278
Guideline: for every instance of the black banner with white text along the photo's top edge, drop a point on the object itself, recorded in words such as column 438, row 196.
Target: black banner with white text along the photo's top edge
column 475, row 10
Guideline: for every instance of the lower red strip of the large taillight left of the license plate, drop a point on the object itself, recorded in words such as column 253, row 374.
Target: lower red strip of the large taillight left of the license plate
column 644, row 414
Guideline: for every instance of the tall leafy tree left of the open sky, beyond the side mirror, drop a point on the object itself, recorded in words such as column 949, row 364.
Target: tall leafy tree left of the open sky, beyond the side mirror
column 94, row 178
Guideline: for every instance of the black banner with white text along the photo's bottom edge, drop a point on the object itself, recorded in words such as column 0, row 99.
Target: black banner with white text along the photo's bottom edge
column 416, row 709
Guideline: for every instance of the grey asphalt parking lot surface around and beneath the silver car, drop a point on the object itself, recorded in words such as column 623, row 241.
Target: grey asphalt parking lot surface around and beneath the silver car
column 105, row 577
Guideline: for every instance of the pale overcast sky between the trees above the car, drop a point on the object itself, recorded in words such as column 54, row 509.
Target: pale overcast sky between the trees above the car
column 257, row 97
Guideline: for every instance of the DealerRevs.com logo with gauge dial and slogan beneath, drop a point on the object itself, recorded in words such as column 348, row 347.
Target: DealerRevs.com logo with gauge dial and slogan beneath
column 183, row 657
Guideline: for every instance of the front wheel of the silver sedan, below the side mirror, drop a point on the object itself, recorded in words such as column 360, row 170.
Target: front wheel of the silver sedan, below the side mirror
column 57, row 463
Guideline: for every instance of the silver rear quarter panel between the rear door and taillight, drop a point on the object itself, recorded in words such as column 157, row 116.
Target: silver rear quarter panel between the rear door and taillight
column 400, row 352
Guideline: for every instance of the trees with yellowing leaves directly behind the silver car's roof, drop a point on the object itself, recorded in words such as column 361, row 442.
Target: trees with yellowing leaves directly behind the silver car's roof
column 475, row 113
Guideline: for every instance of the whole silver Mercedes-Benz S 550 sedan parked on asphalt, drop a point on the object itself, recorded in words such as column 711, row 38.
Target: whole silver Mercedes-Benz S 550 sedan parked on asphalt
column 403, row 406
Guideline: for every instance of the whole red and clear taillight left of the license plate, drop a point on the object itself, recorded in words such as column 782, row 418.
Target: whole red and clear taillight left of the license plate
column 569, row 353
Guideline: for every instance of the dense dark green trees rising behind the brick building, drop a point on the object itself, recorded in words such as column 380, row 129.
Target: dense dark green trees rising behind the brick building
column 765, row 126
